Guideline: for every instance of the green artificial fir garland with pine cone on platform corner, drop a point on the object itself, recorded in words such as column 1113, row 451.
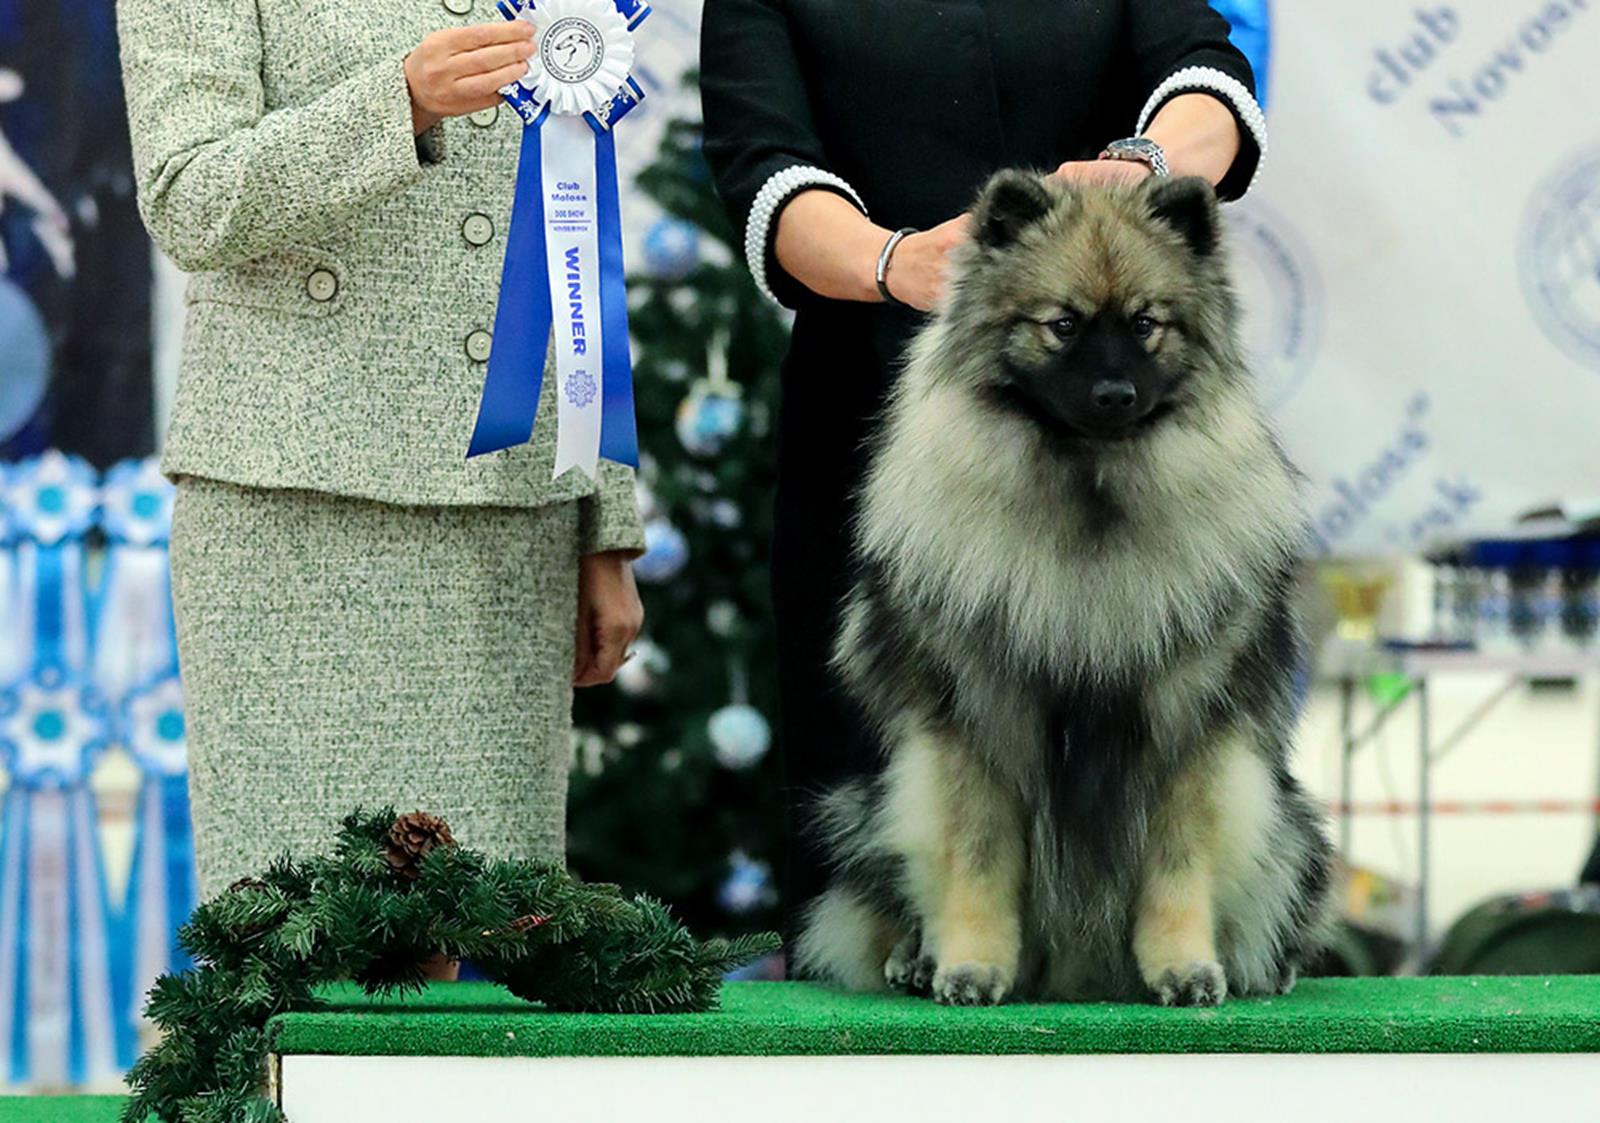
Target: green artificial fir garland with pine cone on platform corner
column 396, row 895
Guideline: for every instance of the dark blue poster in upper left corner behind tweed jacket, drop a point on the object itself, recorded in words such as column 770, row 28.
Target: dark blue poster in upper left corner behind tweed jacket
column 74, row 258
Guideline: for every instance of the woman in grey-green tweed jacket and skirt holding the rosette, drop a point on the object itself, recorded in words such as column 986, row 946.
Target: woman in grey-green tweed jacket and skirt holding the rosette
column 366, row 617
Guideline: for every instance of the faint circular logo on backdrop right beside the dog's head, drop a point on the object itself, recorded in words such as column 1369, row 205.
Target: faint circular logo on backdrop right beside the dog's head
column 1281, row 297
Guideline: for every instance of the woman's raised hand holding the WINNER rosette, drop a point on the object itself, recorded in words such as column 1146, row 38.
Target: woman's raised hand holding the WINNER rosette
column 460, row 71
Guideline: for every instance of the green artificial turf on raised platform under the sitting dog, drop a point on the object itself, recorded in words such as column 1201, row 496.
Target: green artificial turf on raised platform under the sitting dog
column 1455, row 1015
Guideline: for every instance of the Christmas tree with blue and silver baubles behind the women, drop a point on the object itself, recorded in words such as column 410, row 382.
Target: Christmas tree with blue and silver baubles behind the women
column 674, row 791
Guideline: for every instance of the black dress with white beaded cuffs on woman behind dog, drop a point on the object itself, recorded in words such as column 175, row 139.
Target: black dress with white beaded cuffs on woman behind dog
column 905, row 108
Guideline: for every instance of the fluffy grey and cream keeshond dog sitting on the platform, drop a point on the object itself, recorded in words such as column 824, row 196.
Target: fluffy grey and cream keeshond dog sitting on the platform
column 1073, row 629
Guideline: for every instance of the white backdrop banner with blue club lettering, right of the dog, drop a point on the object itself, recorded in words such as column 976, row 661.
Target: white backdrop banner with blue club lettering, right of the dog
column 1422, row 263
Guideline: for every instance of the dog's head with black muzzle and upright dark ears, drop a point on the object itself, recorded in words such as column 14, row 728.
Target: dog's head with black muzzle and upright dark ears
column 1097, row 302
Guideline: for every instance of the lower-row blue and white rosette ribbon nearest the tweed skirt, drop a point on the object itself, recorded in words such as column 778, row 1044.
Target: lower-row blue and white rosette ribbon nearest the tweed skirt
column 162, row 882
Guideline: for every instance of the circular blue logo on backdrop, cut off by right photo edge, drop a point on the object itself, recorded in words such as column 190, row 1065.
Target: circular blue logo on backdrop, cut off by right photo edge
column 1561, row 257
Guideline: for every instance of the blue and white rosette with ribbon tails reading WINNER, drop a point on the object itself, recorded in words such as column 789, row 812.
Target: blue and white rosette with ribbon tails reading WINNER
column 564, row 252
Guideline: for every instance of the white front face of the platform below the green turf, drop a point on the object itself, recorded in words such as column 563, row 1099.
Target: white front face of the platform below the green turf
column 1550, row 1089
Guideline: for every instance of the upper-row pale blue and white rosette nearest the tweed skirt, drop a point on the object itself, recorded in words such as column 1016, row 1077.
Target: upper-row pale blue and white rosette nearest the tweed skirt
column 135, row 639
